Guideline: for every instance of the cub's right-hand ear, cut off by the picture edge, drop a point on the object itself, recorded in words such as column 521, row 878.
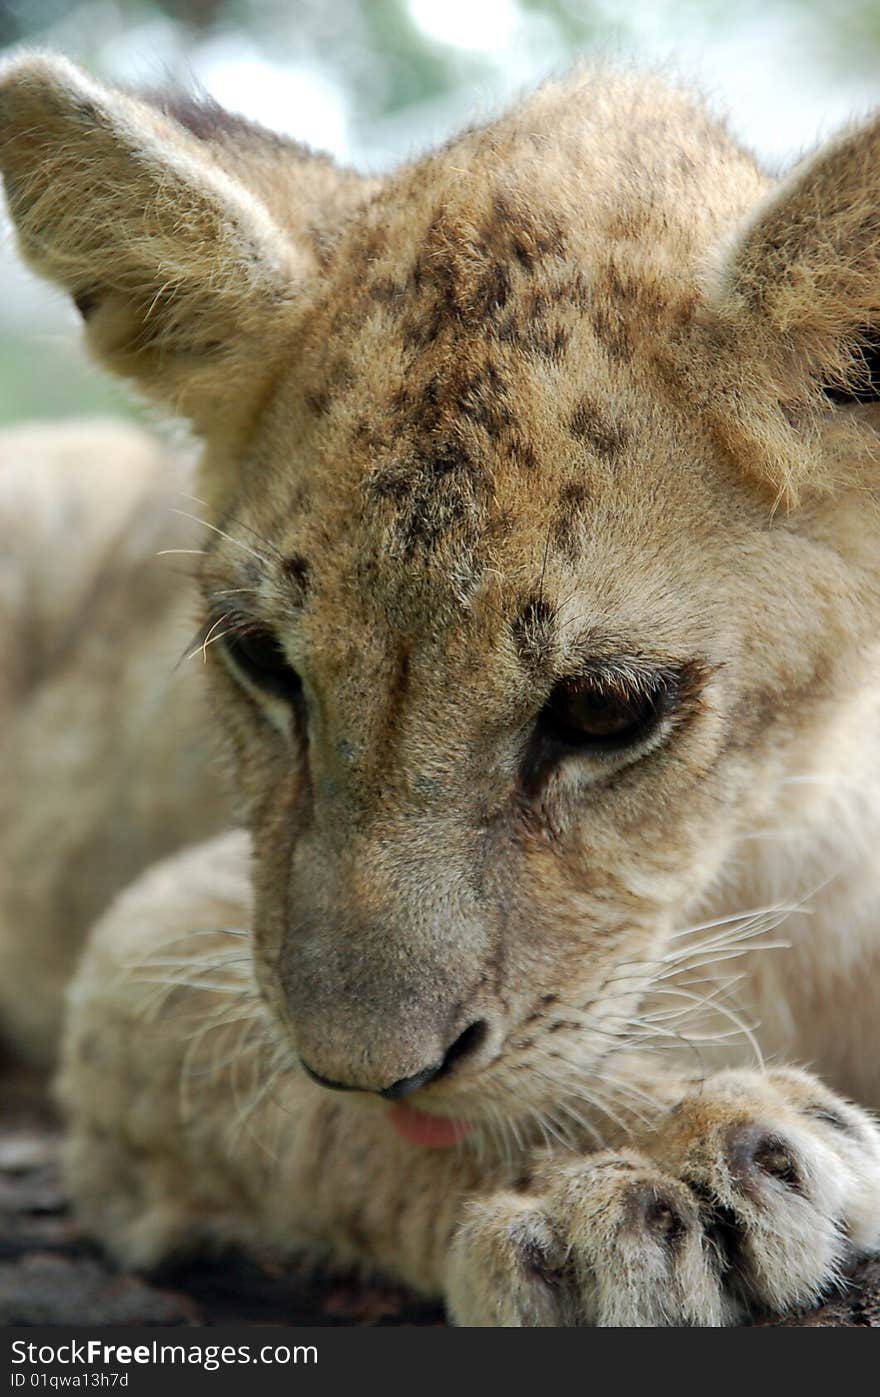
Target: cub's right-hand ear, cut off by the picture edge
column 797, row 294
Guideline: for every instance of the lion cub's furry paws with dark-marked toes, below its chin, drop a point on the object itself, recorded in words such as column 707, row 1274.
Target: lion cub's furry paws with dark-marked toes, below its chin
column 748, row 1199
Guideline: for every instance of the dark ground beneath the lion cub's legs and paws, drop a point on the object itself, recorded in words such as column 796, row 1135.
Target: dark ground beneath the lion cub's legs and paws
column 52, row 1276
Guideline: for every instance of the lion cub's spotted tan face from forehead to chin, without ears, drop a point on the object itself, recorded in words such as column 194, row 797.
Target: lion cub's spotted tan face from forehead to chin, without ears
column 513, row 671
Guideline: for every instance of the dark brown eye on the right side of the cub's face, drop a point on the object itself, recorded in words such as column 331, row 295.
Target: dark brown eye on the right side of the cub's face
column 586, row 715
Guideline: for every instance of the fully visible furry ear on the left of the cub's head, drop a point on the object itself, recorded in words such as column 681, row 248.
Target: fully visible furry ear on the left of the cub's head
column 178, row 269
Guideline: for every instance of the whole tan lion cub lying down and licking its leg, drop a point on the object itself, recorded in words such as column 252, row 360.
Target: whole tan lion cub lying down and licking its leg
column 538, row 601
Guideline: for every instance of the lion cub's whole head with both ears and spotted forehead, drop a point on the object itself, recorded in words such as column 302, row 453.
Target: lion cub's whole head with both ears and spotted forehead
column 544, row 546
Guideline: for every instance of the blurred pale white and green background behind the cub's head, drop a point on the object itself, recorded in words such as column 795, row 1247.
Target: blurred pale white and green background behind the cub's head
column 375, row 82
